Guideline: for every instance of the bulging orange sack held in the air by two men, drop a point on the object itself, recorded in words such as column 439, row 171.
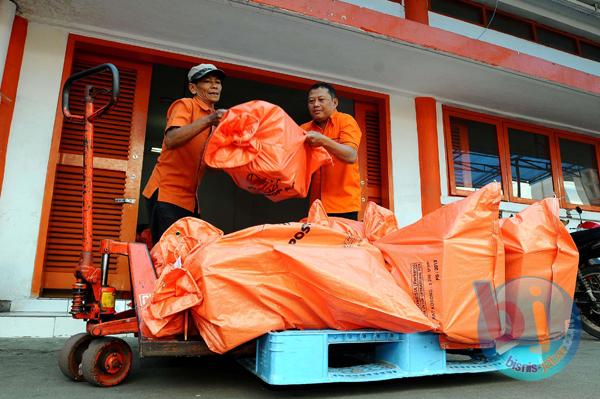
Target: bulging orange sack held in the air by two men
column 263, row 151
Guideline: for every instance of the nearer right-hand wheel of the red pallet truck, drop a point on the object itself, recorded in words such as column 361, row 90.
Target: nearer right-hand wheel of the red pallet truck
column 106, row 362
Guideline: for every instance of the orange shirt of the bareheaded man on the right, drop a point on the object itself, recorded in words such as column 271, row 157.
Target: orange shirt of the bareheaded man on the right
column 340, row 182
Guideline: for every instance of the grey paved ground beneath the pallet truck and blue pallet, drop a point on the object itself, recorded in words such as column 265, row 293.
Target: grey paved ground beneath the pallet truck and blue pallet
column 28, row 369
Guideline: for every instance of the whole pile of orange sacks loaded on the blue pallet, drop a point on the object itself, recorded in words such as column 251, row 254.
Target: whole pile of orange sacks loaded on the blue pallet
column 444, row 273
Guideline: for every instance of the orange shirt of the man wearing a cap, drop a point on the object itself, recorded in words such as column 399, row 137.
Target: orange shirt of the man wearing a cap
column 179, row 171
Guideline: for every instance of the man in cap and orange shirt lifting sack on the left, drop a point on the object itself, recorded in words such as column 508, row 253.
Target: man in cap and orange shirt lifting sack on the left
column 172, row 187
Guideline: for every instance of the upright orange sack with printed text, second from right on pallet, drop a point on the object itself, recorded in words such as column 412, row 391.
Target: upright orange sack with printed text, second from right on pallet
column 451, row 262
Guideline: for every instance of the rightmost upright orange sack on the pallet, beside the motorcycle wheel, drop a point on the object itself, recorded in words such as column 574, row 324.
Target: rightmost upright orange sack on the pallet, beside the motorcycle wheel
column 541, row 267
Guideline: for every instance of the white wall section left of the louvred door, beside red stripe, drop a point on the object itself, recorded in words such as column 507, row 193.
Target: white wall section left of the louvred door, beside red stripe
column 27, row 157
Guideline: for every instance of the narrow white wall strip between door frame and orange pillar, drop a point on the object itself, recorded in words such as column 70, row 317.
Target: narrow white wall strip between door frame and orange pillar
column 405, row 160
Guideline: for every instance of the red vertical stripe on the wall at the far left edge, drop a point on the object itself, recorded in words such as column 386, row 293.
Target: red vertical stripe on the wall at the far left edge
column 10, row 80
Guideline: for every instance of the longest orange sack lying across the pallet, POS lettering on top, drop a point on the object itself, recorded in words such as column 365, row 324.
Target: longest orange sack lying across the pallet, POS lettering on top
column 286, row 276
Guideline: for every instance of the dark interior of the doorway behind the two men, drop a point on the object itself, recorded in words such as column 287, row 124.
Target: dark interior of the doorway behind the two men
column 222, row 203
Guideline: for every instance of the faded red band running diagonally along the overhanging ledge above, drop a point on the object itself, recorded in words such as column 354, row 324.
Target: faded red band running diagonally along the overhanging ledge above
column 438, row 39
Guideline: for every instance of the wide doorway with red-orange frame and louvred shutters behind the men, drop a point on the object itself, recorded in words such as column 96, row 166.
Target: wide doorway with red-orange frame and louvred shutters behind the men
column 123, row 142
